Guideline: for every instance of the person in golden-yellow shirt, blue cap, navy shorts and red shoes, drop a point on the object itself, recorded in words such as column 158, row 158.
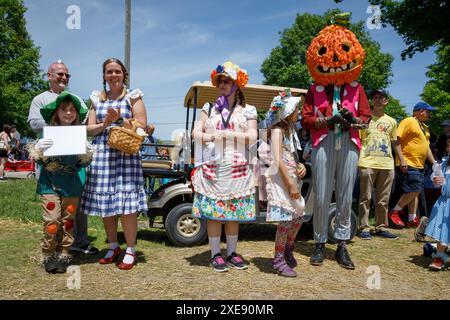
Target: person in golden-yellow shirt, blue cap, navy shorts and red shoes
column 413, row 135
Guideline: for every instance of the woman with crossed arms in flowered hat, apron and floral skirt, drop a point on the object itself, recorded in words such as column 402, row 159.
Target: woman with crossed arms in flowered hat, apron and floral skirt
column 223, row 182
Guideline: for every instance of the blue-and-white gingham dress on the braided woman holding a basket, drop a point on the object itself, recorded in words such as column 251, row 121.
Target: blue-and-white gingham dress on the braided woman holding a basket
column 114, row 180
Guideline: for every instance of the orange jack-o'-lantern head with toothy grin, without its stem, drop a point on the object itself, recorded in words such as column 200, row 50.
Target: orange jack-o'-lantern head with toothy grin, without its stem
column 335, row 56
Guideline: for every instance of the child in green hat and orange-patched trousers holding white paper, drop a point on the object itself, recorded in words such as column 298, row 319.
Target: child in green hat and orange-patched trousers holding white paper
column 59, row 184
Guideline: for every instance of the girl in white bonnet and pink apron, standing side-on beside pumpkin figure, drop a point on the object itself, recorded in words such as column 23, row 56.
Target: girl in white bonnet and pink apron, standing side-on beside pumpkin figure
column 285, row 203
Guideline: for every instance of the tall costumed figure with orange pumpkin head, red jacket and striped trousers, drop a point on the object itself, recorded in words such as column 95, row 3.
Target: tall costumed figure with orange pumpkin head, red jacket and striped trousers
column 335, row 106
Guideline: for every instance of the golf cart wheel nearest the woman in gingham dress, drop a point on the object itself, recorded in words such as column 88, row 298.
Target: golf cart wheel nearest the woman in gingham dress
column 182, row 228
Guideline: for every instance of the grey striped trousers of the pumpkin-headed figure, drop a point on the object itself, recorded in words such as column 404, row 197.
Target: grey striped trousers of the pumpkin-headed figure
column 333, row 170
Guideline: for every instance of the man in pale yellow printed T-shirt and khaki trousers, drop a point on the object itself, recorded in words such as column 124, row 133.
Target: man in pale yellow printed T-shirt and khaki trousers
column 376, row 167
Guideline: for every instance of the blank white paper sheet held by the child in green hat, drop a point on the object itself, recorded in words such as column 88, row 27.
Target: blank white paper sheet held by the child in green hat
column 67, row 140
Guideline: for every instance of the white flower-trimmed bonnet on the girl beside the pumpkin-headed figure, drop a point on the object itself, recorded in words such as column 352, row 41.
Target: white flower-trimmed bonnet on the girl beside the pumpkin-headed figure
column 282, row 106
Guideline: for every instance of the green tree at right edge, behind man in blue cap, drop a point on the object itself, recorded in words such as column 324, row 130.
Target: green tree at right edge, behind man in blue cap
column 437, row 90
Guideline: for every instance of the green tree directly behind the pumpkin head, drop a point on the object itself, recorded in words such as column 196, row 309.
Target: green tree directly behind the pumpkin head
column 286, row 65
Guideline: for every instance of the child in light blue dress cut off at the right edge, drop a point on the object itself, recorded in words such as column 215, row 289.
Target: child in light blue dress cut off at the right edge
column 439, row 225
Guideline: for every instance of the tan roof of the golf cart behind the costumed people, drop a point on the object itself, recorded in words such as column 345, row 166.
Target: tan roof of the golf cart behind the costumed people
column 257, row 95
